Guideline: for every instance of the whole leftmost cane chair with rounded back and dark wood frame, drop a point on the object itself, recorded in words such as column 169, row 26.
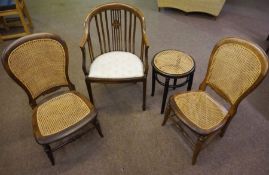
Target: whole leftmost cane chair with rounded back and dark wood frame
column 39, row 64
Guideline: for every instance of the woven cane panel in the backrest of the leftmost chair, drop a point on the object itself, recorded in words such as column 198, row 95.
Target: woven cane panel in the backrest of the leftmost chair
column 39, row 65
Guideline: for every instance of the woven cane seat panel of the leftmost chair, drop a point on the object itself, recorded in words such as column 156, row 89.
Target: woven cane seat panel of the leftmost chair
column 60, row 113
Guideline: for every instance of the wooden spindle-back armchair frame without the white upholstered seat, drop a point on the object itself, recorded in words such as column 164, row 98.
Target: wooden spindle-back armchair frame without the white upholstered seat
column 113, row 41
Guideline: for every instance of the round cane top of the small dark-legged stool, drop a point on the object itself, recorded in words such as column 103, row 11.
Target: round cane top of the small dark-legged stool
column 173, row 62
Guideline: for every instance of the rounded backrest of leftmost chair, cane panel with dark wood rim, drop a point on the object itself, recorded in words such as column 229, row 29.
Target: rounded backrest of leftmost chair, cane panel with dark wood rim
column 38, row 63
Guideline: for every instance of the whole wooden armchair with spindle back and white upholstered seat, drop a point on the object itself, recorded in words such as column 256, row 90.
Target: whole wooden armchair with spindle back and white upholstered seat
column 115, row 34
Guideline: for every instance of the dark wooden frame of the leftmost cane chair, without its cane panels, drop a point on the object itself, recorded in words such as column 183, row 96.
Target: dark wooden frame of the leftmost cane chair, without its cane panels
column 72, row 132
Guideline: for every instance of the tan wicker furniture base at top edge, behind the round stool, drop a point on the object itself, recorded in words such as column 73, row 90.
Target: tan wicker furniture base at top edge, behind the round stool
column 212, row 7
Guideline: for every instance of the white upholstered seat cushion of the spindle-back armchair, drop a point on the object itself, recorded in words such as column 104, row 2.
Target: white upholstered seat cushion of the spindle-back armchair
column 116, row 65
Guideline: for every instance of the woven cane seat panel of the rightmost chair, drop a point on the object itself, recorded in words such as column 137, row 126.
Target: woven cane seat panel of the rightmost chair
column 200, row 109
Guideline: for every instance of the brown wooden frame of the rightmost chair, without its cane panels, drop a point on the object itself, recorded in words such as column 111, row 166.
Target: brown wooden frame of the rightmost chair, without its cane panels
column 203, row 135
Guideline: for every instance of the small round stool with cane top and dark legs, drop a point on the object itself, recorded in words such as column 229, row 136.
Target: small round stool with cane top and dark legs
column 172, row 64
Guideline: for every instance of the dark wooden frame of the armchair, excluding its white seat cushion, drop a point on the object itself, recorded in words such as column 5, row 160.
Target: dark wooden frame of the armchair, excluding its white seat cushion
column 86, row 38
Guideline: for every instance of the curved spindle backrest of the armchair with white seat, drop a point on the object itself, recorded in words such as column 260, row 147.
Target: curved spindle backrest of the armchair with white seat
column 114, row 27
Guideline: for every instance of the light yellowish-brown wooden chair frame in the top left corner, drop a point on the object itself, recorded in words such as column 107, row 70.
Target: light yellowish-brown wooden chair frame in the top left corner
column 22, row 11
